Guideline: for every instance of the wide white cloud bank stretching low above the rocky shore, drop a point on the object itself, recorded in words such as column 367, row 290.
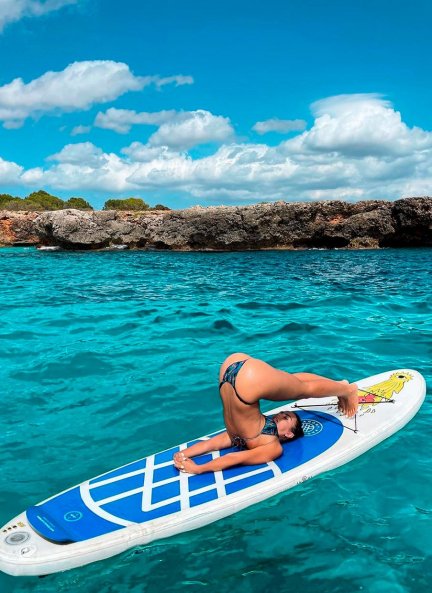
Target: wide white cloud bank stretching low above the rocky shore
column 324, row 162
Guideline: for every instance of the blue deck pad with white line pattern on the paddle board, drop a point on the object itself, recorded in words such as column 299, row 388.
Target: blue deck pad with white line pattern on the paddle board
column 151, row 488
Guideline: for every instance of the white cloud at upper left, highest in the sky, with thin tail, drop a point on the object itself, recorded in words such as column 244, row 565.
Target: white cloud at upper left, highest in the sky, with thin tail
column 79, row 86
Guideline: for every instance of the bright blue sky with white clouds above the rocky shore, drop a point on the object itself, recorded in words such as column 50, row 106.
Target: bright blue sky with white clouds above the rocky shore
column 216, row 103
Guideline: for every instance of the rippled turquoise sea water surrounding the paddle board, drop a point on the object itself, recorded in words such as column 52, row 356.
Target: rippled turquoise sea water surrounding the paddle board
column 97, row 346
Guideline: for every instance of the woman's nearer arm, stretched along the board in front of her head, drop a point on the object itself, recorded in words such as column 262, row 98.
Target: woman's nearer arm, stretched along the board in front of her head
column 261, row 454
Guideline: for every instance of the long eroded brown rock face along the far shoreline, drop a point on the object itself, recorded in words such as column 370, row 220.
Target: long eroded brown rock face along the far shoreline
column 284, row 225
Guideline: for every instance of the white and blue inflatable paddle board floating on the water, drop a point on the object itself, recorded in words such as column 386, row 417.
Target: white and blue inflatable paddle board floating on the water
column 150, row 499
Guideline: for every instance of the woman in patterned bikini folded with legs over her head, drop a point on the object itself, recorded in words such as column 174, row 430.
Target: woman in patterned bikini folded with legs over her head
column 243, row 382
